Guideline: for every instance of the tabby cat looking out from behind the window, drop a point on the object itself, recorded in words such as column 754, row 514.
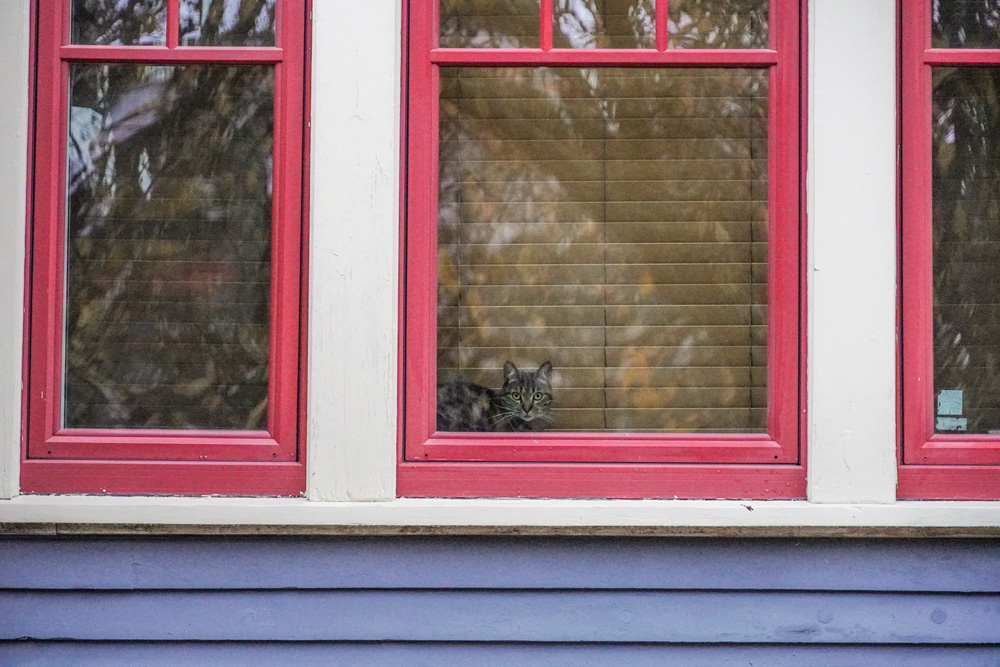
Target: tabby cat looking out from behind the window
column 521, row 404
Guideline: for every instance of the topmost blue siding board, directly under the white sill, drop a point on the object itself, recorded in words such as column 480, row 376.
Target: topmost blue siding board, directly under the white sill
column 543, row 563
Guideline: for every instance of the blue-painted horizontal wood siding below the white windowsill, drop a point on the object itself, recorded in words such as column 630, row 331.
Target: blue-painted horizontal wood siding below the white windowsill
column 455, row 601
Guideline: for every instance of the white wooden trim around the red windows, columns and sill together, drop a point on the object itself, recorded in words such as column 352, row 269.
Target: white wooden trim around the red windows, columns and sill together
column 353, row 316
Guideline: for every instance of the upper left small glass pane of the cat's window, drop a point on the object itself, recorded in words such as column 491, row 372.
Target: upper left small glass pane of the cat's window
column 496, row 24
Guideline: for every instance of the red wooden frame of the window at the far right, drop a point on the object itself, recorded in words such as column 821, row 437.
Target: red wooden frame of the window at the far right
column 931, row 465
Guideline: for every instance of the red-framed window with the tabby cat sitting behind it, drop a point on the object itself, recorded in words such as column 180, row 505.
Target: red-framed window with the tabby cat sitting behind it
column 603, row 230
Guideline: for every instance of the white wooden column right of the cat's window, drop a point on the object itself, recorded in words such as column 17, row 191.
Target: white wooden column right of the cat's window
column 852, row 251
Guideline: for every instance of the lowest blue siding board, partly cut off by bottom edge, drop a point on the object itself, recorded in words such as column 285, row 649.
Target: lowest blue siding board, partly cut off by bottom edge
column 102, row 654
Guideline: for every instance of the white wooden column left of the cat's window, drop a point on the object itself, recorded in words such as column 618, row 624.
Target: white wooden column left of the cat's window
column 354, row 250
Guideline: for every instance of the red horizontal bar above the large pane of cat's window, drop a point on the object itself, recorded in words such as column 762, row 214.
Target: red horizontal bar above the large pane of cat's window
column 596, row 57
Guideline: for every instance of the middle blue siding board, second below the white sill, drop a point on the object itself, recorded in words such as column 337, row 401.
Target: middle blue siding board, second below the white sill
column 504, row 616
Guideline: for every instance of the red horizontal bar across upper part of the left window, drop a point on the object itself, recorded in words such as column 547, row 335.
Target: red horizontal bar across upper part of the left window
column 181, row 55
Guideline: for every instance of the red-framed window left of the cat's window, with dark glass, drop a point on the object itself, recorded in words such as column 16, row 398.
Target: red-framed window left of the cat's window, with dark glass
column 166, row 251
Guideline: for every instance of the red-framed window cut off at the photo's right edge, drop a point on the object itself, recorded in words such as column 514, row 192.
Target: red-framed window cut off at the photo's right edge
column 951, row 250
